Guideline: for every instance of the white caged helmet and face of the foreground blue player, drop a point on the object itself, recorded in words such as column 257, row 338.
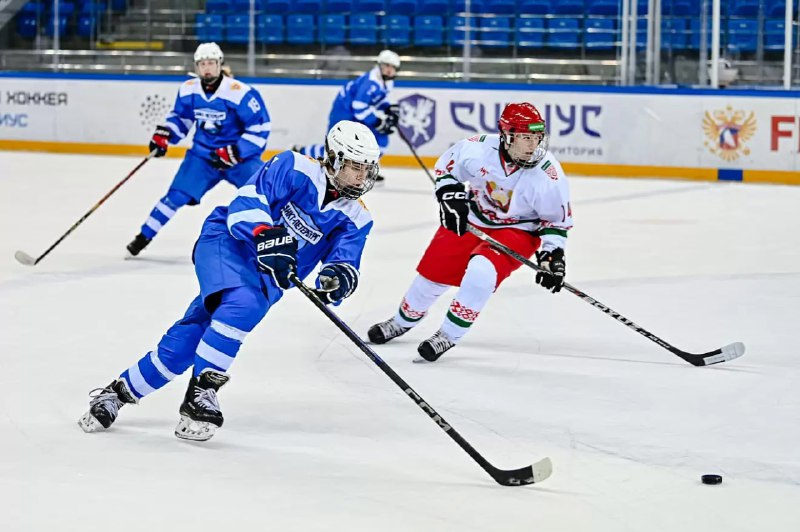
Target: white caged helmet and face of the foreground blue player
column 351, row 158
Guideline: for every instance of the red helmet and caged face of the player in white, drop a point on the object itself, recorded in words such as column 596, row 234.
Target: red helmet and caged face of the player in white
column 523, row 134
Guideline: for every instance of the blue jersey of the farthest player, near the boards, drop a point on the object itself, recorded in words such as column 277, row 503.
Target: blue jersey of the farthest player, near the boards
column 361, row 97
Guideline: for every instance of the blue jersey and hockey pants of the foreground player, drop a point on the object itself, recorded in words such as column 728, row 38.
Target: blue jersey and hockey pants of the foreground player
column 289, row 191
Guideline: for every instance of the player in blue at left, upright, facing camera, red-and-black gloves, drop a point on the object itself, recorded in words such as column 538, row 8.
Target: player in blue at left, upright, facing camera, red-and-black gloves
column 231, row 129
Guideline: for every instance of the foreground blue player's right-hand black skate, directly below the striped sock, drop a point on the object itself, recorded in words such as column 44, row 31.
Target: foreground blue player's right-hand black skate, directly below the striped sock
column 200, row 412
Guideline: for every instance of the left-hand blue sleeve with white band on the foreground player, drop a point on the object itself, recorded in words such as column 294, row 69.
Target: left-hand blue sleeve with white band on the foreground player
column 253, row 205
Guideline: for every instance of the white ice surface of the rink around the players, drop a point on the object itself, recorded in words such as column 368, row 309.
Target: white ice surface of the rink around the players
column 317, row 438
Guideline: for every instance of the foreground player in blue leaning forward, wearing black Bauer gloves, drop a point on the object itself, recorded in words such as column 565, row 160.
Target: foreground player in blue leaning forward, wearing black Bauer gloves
column 292, row 215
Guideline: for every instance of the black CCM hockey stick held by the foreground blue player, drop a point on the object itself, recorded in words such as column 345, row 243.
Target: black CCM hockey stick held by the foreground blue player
column 516, row 477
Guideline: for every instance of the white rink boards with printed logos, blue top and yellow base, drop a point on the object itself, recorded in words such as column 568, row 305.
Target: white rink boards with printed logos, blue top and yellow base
column 680, row 133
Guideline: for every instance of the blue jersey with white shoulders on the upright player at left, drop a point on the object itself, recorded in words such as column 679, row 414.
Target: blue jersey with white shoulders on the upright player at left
column 233, row 115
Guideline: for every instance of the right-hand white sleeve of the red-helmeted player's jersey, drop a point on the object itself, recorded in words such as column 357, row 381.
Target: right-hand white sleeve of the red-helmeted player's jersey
column 554, row 208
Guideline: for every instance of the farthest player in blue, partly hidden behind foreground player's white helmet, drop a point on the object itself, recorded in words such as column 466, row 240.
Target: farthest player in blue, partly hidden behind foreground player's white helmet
column 366, row 100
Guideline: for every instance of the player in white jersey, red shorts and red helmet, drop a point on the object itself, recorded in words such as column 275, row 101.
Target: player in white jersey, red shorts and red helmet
column 518, row 195
